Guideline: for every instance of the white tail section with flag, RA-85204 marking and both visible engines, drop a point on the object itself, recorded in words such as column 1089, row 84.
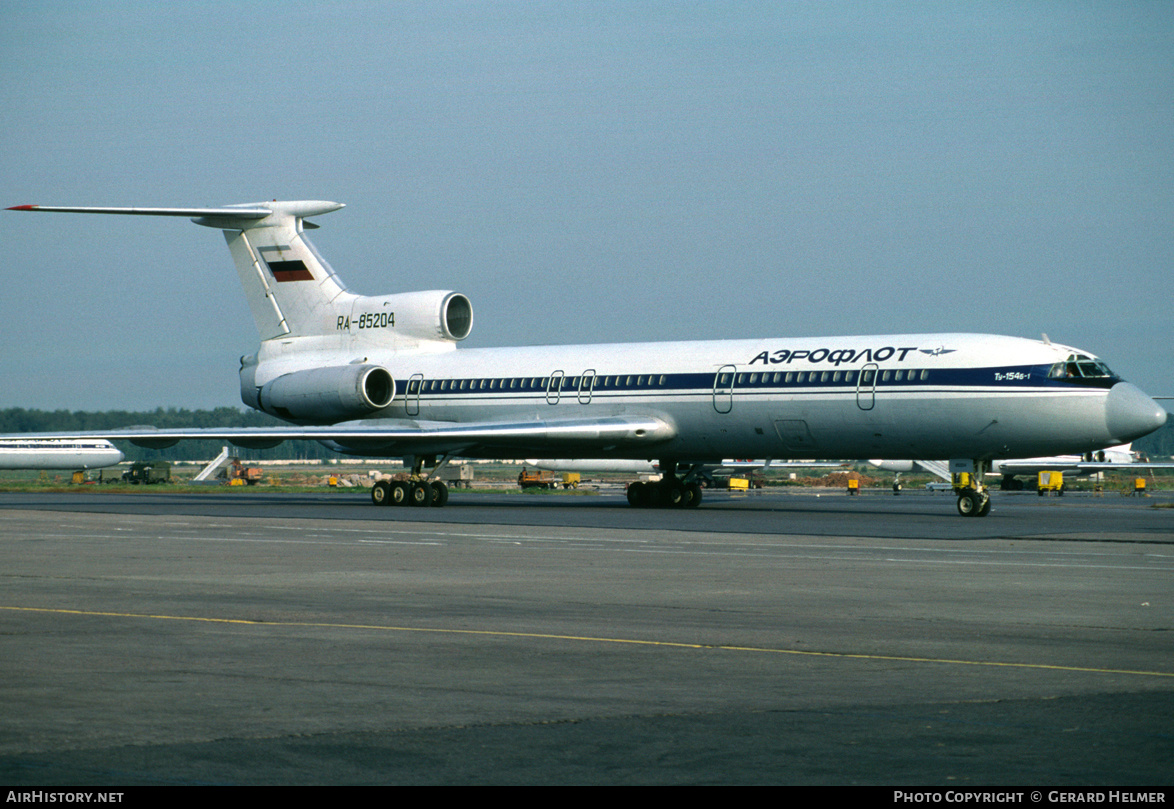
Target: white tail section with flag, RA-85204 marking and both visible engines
column 318, row 338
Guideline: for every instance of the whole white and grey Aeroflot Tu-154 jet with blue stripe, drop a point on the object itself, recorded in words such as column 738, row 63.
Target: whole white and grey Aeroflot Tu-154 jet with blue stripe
column 379, row 376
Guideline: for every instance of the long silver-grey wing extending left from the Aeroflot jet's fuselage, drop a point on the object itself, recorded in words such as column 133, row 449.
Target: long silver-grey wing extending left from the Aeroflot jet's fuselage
column 393, row 437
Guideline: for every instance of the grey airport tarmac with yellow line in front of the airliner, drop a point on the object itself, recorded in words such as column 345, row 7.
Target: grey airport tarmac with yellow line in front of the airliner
column 786, row 638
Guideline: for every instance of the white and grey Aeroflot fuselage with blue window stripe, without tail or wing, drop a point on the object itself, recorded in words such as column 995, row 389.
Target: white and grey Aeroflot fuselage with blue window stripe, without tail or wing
column 913, row 396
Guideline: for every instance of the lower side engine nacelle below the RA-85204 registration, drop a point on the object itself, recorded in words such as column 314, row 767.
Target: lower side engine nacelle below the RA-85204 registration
column 323, row 395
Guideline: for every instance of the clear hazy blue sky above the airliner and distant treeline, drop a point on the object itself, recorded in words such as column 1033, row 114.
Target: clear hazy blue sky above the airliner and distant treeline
column 588, row 173
